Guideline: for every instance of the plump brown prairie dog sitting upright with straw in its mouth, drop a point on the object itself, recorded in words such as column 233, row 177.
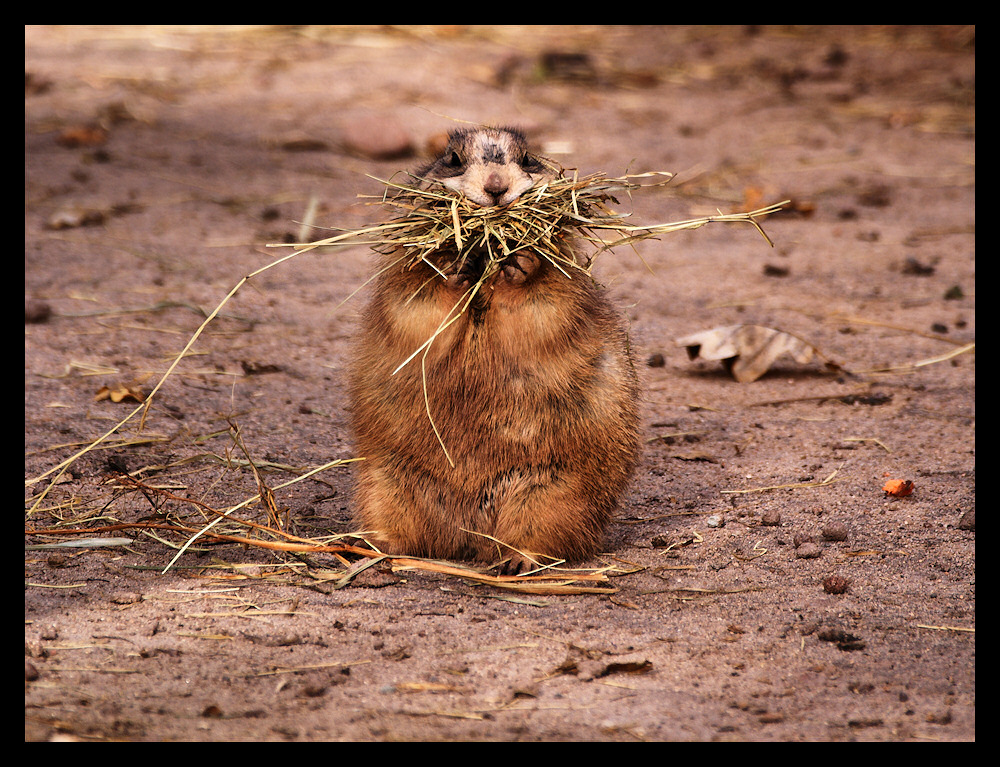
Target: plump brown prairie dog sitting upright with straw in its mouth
column 532, row 390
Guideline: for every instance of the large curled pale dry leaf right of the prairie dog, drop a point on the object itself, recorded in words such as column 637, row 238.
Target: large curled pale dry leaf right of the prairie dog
column 748, row 350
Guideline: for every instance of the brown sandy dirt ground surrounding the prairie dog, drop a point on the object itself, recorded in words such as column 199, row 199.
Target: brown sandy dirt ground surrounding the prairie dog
column 160, row 162
